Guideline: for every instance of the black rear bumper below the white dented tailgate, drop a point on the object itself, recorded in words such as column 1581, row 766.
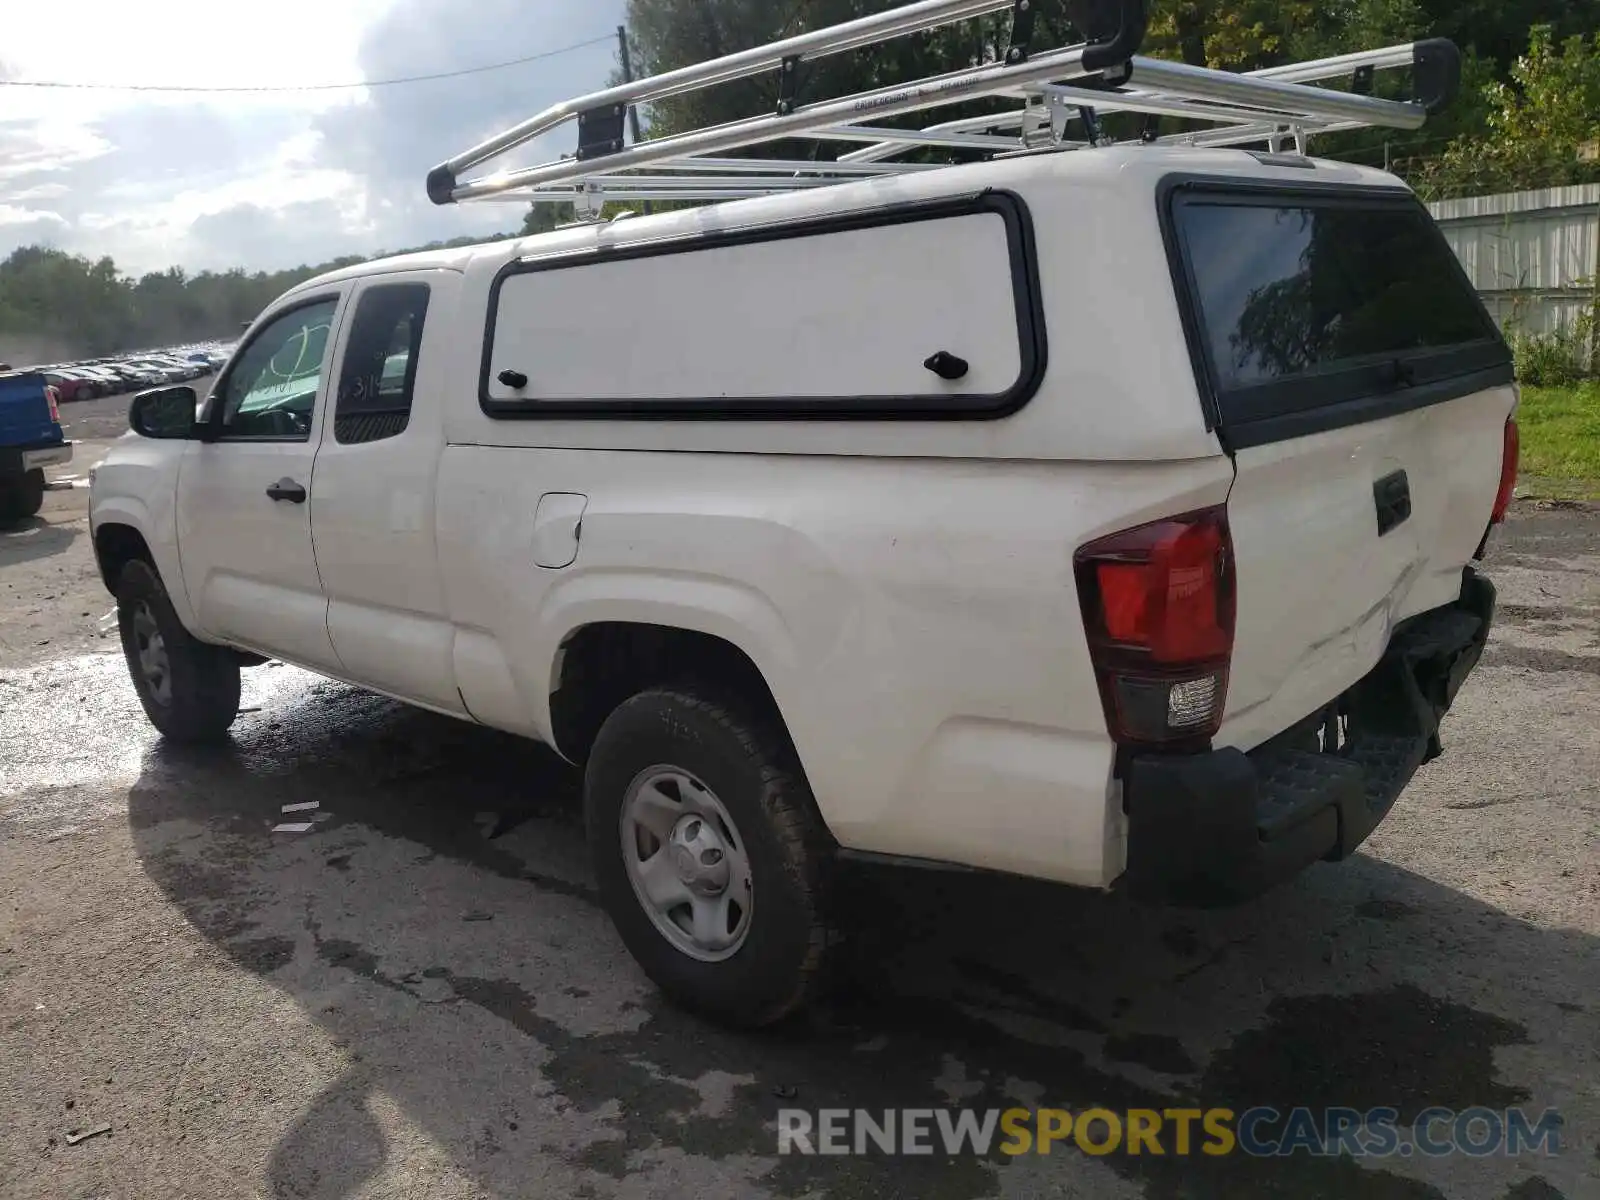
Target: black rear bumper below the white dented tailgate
column 1222, row 828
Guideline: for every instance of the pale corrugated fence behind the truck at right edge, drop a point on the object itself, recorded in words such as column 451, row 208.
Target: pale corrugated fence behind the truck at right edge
column 1534, row 257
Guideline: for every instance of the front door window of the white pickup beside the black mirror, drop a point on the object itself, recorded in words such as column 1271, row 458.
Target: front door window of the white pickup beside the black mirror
column 271, row 391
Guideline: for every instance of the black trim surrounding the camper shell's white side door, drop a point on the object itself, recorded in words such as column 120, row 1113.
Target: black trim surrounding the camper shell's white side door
column 961, row 407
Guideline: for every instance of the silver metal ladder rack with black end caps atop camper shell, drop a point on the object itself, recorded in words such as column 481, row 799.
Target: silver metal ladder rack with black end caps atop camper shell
column 1062, row 94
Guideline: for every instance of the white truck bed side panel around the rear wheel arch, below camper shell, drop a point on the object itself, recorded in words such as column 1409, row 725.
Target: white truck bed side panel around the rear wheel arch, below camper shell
column 918, row 622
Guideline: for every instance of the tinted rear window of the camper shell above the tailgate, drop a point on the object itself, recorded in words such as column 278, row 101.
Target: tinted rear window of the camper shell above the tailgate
column 1313, row 310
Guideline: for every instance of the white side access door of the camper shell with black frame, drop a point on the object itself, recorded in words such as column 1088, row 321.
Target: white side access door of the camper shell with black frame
column 910, row 311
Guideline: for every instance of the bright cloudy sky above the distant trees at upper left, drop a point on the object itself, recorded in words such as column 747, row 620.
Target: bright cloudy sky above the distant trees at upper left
column 270, row 180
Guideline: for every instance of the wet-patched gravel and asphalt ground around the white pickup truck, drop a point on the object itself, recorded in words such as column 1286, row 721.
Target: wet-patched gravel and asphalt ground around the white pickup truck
column 420, row 996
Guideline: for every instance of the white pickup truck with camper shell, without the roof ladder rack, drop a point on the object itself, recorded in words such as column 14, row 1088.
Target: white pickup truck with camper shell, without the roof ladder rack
column 1100, row 518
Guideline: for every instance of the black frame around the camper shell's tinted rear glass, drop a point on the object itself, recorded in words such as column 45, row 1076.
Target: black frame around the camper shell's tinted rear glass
column 1353, row 394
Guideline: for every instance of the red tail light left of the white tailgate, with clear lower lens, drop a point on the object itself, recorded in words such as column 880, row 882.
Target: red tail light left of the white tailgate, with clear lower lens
column 1159, row 612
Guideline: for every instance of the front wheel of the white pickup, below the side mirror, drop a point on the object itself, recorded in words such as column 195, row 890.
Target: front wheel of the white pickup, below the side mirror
column 190, row 690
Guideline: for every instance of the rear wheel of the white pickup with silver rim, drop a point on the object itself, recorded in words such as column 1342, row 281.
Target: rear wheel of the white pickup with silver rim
column 777, row 836
